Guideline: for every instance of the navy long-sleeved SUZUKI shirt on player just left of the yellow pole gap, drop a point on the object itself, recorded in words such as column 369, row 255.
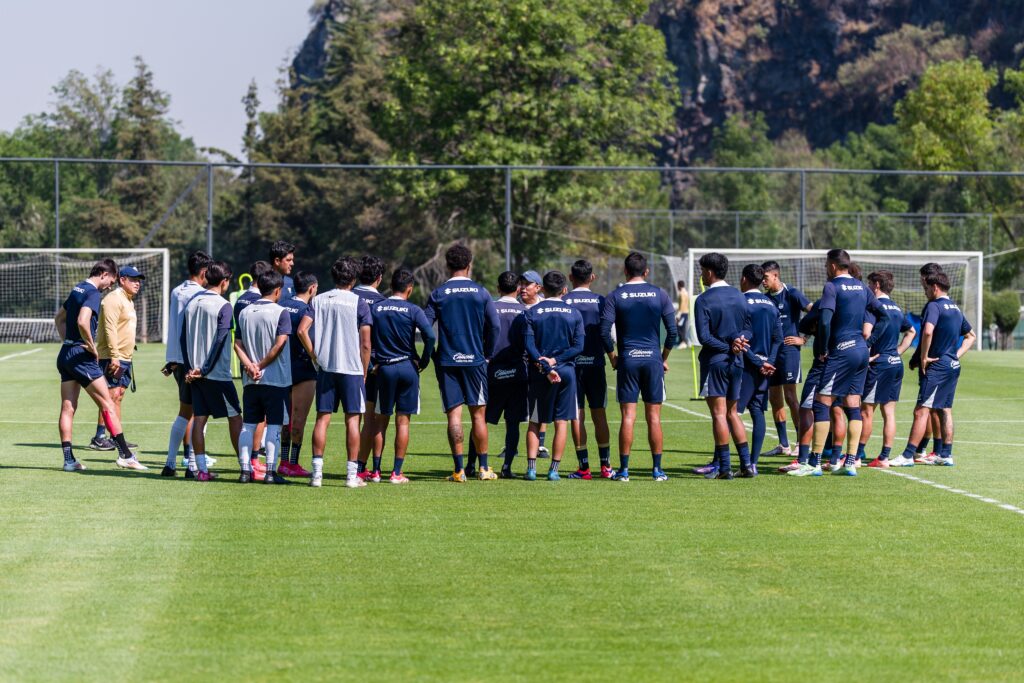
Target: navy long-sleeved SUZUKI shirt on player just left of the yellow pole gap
column 638, row 311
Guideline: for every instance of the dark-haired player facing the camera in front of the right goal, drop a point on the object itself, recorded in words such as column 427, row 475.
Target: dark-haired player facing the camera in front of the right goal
column 783, row 385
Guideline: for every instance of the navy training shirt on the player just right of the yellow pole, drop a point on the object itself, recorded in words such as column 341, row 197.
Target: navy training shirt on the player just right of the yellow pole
column 721, row 316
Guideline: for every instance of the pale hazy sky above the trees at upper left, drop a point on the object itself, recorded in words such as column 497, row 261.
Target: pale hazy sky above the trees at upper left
column 203, row 53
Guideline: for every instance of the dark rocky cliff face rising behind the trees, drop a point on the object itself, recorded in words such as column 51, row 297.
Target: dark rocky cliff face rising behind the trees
column 825, row 68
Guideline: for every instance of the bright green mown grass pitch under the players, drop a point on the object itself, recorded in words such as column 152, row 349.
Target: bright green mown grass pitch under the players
column 120, row 576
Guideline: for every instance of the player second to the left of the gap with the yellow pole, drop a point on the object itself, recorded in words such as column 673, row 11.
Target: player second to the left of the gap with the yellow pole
column 592, row 385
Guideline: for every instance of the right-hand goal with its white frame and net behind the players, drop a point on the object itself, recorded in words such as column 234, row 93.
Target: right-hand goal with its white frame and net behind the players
column 805, row 269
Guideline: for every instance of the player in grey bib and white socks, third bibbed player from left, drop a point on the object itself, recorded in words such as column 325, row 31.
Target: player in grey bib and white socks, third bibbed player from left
column 263, row 348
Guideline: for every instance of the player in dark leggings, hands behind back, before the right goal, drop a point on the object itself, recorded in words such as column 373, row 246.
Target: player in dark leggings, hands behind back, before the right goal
column 758, row 367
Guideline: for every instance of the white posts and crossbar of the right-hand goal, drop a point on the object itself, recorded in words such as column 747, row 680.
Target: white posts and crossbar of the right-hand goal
column 694, row 255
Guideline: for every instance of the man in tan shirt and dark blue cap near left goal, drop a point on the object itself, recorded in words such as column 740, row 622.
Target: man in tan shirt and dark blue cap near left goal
column 116, row 345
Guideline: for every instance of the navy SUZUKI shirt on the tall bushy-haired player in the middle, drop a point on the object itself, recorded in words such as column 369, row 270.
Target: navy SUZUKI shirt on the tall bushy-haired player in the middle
column 467, row 323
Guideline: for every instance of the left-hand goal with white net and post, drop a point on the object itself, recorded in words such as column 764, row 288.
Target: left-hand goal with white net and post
column 34, row 283
